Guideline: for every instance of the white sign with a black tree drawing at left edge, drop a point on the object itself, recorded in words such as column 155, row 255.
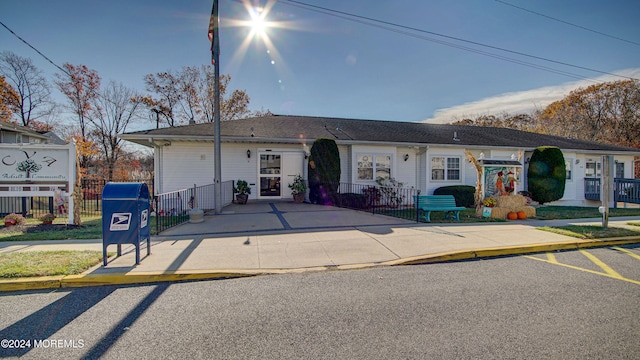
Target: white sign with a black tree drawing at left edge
column 32, row 163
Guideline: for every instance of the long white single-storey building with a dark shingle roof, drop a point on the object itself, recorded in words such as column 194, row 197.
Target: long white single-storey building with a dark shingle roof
column 271, row 150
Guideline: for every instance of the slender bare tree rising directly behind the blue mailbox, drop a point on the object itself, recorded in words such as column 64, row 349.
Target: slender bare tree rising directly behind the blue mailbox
column 111, row 114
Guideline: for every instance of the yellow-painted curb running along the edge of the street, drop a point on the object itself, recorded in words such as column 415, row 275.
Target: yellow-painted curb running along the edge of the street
column 85, row 280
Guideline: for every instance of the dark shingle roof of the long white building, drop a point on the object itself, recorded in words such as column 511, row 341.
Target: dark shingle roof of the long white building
column 295, row 128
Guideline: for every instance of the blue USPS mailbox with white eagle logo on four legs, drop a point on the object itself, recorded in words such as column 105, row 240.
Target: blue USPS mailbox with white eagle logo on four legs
column 125, row 217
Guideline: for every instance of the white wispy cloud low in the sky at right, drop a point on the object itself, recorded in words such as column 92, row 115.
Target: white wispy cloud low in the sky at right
column 521, row 102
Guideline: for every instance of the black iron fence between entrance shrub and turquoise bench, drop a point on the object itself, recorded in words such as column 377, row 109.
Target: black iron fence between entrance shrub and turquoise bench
column 392, row 201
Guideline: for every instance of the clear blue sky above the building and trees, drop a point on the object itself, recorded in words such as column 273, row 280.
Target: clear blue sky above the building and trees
column 321, row 65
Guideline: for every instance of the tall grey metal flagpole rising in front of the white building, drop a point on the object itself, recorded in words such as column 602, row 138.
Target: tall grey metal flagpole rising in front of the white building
column 214, row 37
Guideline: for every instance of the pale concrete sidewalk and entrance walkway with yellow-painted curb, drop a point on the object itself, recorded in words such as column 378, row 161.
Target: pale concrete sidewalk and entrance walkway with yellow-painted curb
column 271, row 238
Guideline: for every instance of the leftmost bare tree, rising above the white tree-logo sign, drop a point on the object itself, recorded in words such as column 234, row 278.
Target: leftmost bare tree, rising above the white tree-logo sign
column 34, row 94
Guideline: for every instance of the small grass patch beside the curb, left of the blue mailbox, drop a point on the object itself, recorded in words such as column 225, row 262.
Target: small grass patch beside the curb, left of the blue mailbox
column 47, row 263
